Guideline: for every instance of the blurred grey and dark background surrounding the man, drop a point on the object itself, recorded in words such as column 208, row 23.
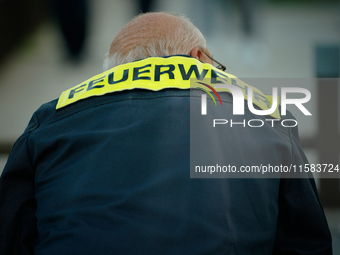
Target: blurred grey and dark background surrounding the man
column 47, row 47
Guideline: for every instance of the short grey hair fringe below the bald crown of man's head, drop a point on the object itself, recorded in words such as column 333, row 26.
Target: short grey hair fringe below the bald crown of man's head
column 185, row 38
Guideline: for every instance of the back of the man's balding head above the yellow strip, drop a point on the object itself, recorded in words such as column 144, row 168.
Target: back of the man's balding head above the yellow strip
column 152, row 35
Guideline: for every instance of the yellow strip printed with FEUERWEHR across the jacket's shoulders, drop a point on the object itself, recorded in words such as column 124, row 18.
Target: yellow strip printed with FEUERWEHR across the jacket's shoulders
column 155, row 74
